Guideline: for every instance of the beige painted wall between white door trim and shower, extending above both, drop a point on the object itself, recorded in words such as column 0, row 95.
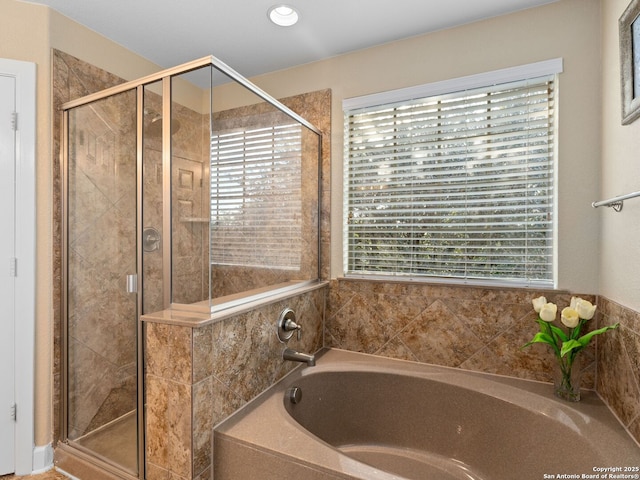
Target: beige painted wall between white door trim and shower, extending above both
column 27, row 32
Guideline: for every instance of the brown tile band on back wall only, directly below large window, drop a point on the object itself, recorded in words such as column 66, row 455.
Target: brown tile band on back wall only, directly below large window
column 481, row 329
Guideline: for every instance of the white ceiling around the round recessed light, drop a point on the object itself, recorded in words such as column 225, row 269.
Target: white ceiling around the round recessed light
column 238, row 32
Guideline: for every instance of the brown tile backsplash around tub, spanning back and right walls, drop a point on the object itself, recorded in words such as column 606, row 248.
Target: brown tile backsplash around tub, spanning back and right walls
column 483, row 329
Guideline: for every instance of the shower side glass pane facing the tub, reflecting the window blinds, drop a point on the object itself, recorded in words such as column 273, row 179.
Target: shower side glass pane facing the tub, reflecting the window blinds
column 264, row 195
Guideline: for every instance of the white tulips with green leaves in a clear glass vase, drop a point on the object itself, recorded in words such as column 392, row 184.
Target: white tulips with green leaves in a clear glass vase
column 565, row 345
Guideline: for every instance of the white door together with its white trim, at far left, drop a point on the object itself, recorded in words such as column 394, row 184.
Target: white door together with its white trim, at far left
column 17, row 267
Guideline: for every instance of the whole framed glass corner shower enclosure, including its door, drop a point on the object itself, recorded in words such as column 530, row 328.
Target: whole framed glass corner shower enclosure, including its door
column 190, row 190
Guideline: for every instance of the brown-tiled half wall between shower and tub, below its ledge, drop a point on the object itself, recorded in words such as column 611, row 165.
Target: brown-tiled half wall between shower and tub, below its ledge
column 198, row 375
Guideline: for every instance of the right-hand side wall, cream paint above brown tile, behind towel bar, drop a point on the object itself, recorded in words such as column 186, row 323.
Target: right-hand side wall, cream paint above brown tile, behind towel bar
column 619, row 261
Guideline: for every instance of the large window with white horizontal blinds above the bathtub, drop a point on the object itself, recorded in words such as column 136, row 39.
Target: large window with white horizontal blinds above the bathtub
column 454, row 180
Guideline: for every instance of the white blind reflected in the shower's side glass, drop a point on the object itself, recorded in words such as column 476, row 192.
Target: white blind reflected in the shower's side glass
column 256, row 197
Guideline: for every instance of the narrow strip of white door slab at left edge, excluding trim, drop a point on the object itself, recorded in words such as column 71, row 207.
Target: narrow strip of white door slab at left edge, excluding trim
column 7, row 273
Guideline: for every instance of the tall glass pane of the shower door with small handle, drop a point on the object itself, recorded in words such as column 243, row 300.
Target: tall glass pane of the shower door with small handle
column 102, row 315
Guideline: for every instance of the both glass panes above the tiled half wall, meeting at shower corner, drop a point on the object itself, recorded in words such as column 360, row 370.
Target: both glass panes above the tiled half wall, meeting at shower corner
column 244, row 193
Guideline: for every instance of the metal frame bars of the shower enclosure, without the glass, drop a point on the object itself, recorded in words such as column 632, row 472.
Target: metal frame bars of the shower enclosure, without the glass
column 164, row 77
